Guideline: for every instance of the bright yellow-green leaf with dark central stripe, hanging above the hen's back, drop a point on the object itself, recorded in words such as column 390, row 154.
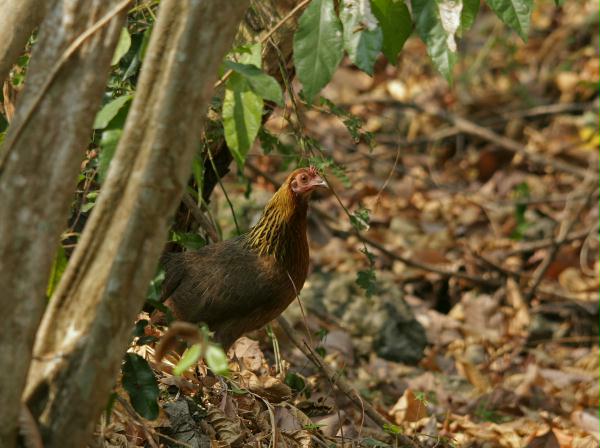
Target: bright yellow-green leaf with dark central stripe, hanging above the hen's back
column 242, row 114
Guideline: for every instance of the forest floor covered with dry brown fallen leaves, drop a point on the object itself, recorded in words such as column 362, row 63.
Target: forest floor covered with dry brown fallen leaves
column 482, row 327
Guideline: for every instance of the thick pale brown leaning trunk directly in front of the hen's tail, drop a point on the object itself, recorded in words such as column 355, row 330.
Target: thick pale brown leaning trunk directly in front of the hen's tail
column 87, row 327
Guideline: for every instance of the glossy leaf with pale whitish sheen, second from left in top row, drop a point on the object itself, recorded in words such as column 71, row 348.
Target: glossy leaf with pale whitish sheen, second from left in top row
column 362, row 35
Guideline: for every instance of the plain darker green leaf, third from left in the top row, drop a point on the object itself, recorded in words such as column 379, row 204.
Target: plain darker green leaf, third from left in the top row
column 396, row 24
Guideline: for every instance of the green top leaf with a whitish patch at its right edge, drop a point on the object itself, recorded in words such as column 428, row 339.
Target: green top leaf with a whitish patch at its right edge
column 431, row 31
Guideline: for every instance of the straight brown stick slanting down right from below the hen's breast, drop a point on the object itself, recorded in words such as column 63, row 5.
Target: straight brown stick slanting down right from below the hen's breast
column 338, row 380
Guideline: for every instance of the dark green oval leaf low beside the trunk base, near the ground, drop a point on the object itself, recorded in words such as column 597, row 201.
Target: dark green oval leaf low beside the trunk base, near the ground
column 140, row 383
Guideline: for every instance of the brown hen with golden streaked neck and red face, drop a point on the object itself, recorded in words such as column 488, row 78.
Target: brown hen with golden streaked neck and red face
column 241, row 284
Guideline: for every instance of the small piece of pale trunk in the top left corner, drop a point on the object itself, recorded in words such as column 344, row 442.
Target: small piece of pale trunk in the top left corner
column 18, row 19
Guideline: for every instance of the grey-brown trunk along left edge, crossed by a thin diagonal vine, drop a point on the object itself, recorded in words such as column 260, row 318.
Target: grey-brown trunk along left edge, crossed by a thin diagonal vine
column 39, row 163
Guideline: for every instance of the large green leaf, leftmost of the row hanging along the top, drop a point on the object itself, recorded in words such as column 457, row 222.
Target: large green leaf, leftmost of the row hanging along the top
column 318, row 46
